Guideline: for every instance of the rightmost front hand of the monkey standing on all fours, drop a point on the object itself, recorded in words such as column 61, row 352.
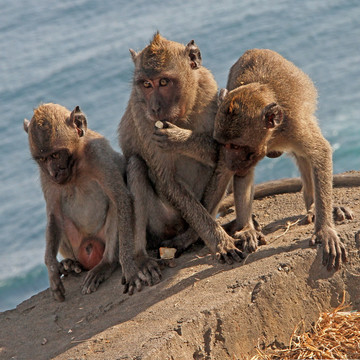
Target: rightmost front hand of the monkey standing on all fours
column 333, row 249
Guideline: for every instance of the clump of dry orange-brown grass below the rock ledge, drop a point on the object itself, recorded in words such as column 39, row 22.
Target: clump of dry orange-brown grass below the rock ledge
column 336, row 335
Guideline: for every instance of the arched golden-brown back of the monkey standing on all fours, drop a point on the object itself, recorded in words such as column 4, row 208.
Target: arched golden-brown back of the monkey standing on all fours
column 289, row 84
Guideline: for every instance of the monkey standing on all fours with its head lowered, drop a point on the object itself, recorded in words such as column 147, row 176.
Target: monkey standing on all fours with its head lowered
column 267, row 109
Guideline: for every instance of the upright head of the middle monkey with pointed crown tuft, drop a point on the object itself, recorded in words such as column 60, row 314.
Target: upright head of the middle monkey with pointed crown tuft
column 166, row 79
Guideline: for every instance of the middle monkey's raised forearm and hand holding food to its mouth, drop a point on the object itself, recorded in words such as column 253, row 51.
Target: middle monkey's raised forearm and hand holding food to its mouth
column 199, row 146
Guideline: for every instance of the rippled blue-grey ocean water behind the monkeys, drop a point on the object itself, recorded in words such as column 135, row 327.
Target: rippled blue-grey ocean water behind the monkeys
column 75, row 52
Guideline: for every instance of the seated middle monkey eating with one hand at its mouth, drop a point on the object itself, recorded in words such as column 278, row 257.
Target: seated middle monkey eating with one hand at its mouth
column 173, row 101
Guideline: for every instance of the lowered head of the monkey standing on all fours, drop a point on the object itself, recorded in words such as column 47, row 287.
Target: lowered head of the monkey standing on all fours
column 245, row 122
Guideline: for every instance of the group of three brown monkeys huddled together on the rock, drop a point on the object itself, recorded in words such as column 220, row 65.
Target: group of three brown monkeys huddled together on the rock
column 183, row 144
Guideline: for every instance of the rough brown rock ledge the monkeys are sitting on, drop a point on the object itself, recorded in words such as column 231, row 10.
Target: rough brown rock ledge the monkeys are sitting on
column 201, row 309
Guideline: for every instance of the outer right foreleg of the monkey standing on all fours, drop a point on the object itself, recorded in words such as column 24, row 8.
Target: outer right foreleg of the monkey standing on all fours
column 333, row 249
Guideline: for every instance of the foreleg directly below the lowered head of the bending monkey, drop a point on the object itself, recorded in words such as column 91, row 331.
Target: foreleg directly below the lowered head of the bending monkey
column 244, row 229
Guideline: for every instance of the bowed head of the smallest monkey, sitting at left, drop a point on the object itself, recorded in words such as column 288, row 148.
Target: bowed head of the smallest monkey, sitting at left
column 55, row 140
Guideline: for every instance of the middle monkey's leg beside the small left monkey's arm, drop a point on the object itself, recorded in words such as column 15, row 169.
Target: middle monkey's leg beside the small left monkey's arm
column 144, row 198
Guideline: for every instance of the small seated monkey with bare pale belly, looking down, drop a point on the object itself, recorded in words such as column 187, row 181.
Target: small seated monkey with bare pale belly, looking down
column 88, row 205
